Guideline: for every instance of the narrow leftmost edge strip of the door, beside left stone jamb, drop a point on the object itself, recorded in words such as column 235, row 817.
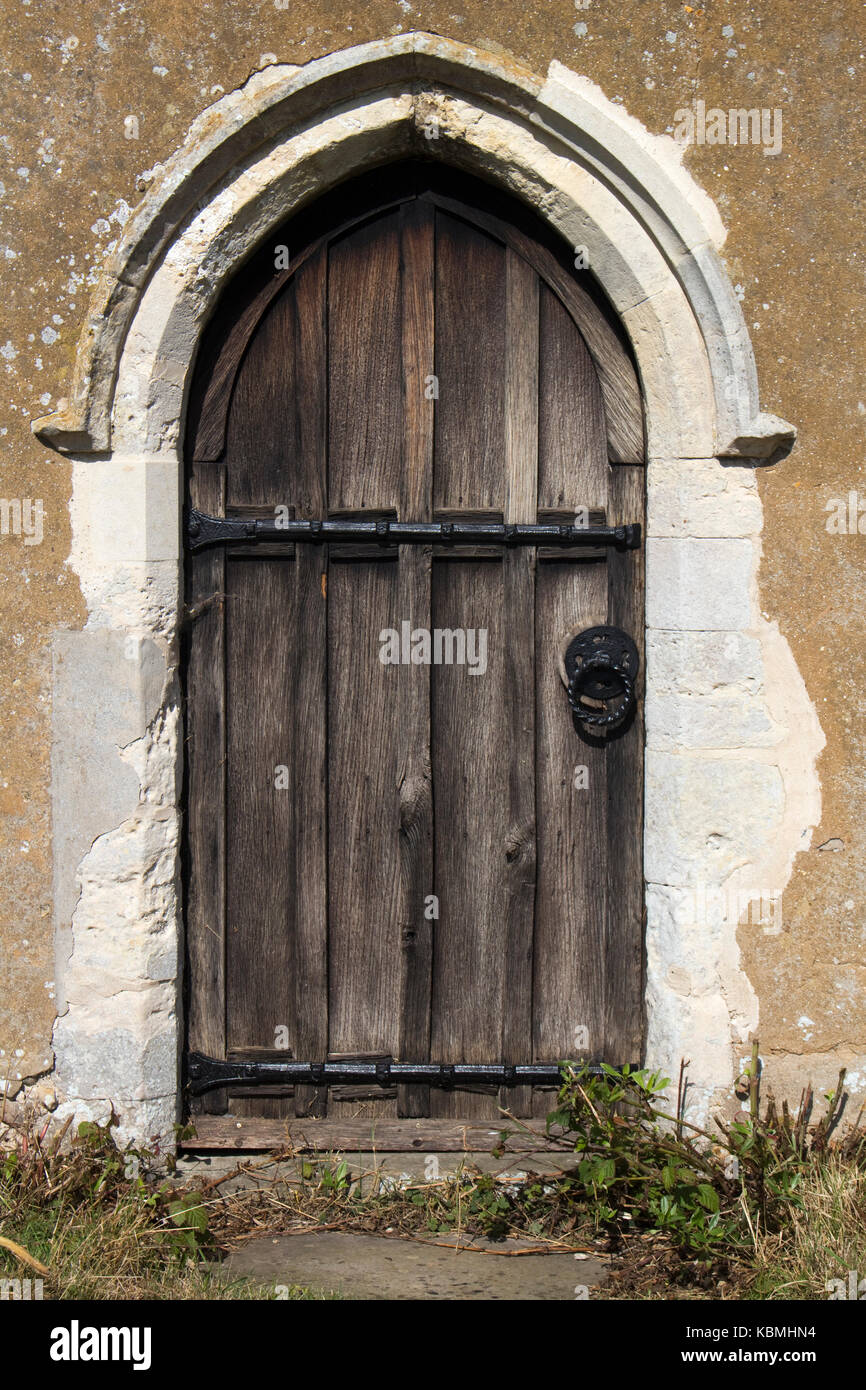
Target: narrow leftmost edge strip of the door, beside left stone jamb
column 206, row 789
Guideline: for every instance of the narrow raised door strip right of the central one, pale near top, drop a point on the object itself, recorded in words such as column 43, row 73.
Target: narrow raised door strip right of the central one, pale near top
column 519, row 668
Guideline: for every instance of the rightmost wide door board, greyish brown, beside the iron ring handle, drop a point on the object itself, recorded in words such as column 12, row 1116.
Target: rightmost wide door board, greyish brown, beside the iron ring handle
column 573, row 837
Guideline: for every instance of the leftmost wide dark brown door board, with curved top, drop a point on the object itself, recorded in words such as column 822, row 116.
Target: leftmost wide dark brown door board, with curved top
column 261, row 654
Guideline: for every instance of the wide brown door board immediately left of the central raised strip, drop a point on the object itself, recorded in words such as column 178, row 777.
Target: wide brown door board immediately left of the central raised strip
column 365, row 697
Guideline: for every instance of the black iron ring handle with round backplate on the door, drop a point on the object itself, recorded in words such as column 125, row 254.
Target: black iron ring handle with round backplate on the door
column 603, row 671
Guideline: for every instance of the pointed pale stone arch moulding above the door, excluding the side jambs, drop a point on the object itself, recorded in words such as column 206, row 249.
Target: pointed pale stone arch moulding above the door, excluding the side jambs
column 590, row 169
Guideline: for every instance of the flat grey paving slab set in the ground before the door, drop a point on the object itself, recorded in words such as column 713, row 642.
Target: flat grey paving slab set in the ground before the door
column 362, row 1267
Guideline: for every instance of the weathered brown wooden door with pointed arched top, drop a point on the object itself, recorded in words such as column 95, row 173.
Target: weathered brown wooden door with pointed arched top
column 394, row 854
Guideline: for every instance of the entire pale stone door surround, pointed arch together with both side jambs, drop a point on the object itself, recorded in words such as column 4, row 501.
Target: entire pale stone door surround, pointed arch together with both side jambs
column 729, row 789
